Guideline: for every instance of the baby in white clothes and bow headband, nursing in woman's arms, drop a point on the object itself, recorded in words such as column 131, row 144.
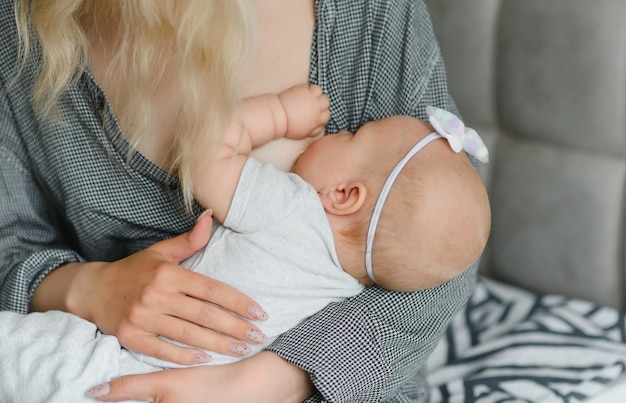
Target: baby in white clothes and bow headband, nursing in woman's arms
column 393, row 205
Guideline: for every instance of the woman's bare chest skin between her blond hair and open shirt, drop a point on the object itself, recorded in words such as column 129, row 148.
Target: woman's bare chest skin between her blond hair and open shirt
column 283, row 36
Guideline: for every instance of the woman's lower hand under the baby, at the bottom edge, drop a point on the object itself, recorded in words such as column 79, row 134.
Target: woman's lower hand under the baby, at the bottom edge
column 264, row 377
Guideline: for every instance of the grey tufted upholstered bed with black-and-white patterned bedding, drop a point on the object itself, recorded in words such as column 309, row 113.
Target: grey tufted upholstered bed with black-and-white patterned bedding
column 544, row 82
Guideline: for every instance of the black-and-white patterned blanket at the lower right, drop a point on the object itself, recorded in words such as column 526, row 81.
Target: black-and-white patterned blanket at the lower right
column 510, row 345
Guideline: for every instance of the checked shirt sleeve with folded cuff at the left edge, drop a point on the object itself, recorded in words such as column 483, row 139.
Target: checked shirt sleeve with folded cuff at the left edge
column 30, row 244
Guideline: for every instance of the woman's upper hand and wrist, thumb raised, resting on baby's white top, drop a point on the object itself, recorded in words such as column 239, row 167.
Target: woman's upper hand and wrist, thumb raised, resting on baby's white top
column 148, row 294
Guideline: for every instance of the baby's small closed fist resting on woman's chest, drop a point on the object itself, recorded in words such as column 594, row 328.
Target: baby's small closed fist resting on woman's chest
column 306, row 107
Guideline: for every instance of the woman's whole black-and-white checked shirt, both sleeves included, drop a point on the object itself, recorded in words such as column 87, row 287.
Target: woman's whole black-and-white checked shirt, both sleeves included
column 69, row 193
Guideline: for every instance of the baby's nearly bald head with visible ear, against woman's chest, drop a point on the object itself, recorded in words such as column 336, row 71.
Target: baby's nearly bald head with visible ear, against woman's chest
column 435, row 220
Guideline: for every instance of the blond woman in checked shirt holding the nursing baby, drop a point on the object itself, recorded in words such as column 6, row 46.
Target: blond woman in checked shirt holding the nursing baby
column 87, row 192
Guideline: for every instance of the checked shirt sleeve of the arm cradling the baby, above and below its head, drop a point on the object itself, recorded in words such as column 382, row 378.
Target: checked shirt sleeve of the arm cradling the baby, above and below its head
column 374, row 347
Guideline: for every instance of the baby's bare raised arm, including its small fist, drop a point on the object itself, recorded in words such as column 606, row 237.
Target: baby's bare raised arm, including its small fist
column 297, row 112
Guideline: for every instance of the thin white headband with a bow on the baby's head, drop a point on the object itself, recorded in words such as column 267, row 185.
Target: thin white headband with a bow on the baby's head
column 447, row 126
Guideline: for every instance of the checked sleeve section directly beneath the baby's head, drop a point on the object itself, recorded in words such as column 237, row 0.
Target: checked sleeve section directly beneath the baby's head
column 368, row 347
